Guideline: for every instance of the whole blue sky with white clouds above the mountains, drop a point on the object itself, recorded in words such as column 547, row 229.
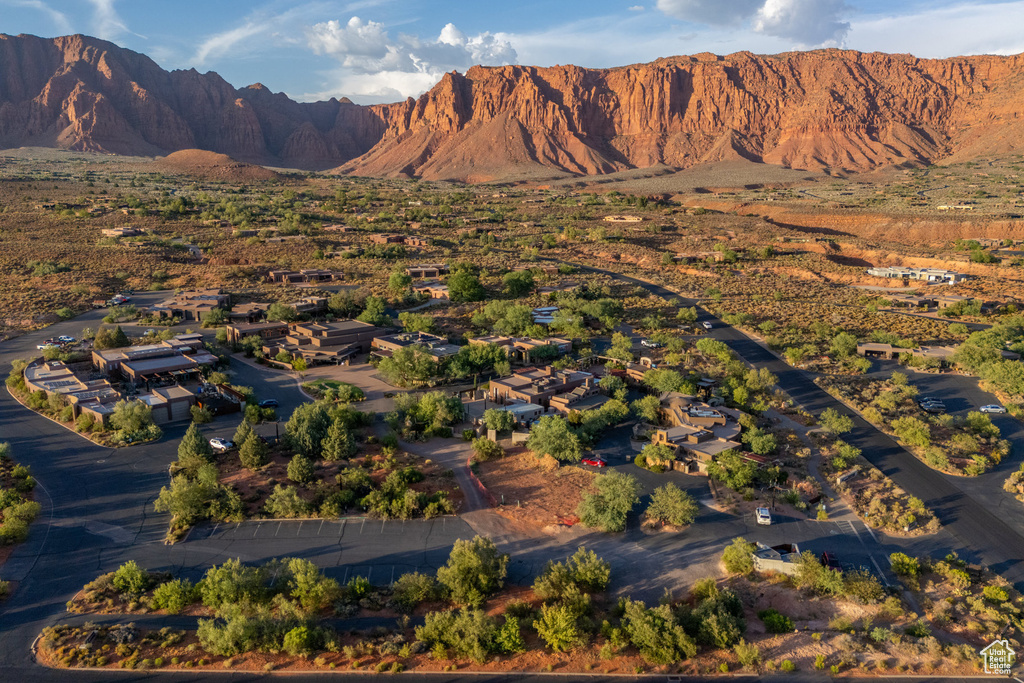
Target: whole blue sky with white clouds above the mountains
column 385, row 51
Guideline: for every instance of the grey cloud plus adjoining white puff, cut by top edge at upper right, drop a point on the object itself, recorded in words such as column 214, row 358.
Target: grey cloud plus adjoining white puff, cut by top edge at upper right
column 806, row 23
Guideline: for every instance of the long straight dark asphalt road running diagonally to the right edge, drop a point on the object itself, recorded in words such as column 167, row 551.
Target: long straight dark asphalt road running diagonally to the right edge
column 970, row 511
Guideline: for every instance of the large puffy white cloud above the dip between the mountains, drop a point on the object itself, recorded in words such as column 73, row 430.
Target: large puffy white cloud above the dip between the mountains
column 376, row 66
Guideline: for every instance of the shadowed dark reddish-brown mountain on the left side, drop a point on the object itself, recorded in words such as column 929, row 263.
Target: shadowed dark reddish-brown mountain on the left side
column 88, row 95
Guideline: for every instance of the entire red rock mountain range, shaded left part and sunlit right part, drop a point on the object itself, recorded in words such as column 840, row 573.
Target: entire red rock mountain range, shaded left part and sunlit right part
column 825, row 109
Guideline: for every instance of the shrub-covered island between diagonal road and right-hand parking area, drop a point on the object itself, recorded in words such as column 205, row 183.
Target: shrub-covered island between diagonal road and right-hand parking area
column 966, row 447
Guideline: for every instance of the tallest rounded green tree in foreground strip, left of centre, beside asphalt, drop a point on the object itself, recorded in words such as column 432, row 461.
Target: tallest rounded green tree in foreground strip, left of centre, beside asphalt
column 476, row 570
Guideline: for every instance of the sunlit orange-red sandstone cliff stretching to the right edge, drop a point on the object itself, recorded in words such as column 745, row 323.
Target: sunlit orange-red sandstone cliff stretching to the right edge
column 827, row 109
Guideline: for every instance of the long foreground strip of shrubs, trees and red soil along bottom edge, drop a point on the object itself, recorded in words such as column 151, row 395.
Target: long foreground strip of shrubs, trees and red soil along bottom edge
column 288, row 616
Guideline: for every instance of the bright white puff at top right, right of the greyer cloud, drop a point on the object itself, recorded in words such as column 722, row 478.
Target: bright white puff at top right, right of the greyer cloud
column 805, row 22
